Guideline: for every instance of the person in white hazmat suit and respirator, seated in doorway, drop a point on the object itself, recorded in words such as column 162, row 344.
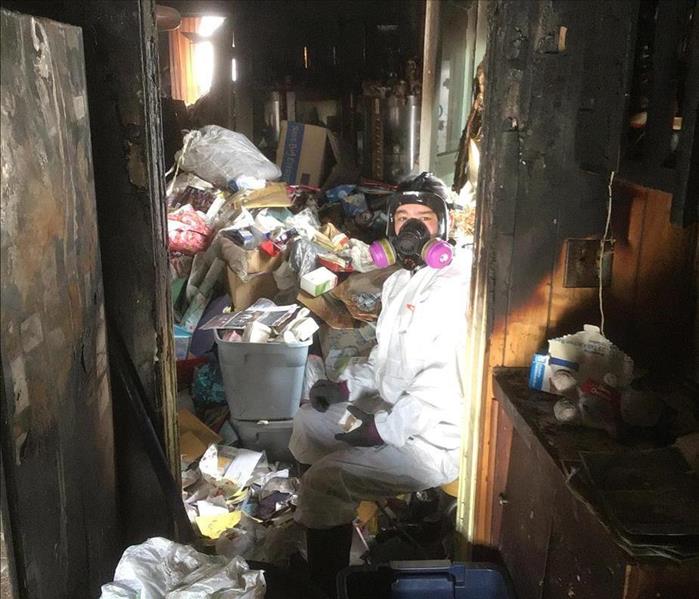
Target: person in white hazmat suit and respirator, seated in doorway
column 406, row 396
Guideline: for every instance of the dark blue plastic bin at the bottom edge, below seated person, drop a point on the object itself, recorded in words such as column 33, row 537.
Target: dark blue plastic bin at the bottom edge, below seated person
column 420, row 579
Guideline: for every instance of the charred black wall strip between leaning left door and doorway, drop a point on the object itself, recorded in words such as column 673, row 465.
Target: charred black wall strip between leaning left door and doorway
column 120, row 46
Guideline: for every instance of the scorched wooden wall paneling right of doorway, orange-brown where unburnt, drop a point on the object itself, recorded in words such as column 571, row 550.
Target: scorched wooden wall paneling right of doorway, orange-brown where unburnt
column 545, row 197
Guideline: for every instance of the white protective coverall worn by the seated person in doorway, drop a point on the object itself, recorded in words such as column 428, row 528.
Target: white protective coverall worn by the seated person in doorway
column 411, row 383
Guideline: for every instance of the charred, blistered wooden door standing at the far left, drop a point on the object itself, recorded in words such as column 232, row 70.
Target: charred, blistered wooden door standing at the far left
column 55, row 402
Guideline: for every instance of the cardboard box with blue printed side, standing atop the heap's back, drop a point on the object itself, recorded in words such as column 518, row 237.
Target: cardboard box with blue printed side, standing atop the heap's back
column 302, row 153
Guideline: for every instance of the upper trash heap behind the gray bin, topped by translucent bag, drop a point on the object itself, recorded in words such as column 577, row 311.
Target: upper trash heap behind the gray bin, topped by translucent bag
column 230, row 221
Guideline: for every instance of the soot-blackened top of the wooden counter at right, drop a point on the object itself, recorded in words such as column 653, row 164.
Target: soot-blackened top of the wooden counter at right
column 643, row 494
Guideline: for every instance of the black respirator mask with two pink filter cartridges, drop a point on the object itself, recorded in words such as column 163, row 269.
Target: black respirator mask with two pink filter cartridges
column 414, row 246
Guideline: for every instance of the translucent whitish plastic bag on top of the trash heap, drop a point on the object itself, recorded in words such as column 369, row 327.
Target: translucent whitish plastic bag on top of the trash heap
column 219, row 156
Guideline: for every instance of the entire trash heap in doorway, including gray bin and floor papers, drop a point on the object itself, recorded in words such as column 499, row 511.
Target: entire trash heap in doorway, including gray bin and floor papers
column 255, row 263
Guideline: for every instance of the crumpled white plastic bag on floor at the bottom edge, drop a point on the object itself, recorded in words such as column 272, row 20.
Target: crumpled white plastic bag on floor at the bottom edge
column 161, row 569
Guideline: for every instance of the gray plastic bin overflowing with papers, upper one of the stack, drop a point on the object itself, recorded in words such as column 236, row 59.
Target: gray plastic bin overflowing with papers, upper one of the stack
column 263, row 381
